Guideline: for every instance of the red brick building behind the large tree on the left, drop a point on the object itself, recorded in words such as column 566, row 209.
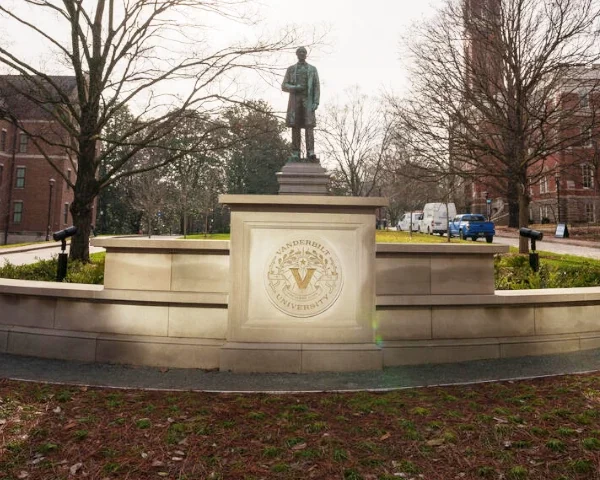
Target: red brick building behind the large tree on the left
column 34, row 197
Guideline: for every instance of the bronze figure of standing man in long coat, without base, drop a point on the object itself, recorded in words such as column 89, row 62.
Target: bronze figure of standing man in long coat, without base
column 301, row 81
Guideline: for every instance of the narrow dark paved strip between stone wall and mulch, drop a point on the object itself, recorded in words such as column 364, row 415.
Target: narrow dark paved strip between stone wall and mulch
column 121, row 376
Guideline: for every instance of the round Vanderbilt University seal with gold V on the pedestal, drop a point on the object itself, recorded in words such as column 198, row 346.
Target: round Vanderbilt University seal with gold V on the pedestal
column 303, row 277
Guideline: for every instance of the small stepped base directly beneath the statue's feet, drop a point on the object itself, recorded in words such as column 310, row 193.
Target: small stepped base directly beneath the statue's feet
column 303, row 178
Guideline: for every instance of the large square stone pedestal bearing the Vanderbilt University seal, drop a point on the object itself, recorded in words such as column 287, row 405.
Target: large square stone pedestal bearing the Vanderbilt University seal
column 302, row 284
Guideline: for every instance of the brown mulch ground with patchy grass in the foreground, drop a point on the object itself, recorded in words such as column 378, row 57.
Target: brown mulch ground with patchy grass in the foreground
column 539, row 429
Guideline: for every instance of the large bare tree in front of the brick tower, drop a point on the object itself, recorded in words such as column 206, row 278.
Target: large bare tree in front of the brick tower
column 491, row 83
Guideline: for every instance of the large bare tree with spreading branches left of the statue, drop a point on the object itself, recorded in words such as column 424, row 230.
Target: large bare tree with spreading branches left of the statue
column 124, row 52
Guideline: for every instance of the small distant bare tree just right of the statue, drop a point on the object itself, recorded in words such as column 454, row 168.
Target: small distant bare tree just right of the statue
column 355, row 137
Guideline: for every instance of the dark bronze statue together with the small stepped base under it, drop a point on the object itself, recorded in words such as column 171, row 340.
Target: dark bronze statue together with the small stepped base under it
column 302, row 175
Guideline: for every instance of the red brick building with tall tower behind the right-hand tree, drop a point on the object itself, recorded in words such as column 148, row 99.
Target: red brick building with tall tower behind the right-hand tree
column 566, row 187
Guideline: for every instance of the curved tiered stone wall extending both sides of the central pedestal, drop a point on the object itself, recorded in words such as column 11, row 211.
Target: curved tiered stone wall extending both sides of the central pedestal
column 164, row 303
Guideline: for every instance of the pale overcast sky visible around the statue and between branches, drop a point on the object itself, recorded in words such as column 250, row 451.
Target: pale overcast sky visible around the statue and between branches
column 362, row 42
